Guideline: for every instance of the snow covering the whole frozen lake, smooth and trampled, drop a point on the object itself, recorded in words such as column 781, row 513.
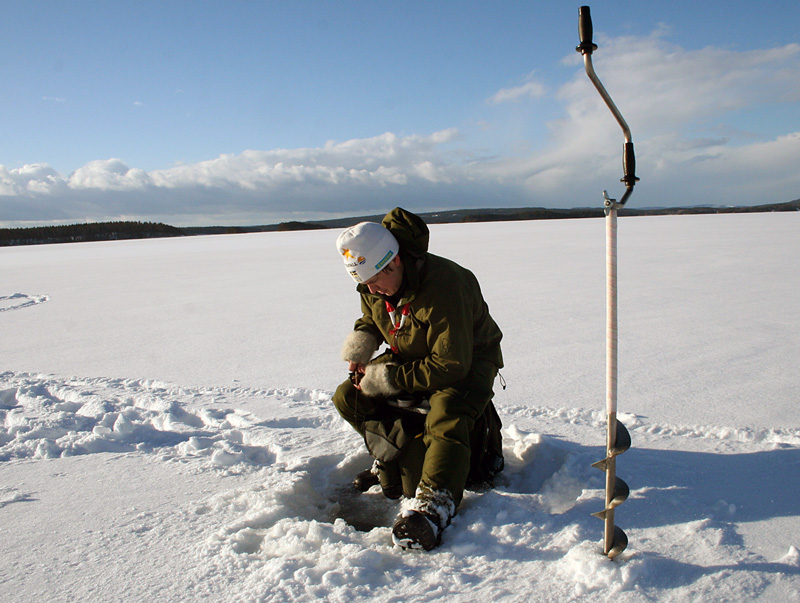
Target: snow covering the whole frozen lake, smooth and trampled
column 167, row 432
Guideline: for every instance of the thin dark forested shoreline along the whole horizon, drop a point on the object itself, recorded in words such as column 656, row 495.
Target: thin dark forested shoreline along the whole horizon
column 109, row 231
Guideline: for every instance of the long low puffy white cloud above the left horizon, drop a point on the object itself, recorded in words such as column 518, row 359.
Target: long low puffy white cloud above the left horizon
column 358, row 173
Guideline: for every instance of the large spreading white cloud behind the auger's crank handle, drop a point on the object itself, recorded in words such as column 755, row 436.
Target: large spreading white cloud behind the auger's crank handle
column 672, row 99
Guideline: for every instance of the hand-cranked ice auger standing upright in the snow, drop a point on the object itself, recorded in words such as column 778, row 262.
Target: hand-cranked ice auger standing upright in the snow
column 618, row 439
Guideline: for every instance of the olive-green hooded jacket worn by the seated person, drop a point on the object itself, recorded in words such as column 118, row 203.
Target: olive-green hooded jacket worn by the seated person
column 448, row 326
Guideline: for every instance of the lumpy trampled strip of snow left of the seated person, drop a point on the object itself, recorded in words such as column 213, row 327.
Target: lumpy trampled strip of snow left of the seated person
column 44, row 417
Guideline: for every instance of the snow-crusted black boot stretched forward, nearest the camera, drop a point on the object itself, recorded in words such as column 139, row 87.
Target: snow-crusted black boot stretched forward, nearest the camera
column 421, row 525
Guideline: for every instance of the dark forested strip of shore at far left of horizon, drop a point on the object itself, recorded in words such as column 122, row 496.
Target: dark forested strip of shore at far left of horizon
column 99, row 231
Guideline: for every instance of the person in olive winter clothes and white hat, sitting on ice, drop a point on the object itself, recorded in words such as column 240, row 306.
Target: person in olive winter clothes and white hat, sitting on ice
column 425, row 406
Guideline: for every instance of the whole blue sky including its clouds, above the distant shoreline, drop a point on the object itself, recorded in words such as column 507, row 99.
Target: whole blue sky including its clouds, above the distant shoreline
column 207, row 112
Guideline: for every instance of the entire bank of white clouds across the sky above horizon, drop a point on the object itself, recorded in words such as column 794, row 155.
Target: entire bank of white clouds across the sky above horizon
column 694, row 115
